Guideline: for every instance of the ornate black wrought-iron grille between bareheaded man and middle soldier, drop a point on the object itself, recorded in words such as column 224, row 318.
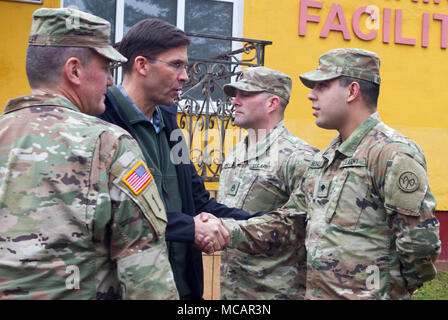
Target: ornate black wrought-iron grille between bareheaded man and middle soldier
column 206, row 113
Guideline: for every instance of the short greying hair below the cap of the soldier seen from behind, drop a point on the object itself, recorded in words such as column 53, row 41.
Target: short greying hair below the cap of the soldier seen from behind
column 44, row 63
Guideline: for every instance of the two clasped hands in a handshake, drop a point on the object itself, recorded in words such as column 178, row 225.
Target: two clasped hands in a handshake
column 210, row 234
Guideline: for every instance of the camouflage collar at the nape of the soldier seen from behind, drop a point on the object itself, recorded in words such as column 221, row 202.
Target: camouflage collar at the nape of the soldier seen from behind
column 37, row 100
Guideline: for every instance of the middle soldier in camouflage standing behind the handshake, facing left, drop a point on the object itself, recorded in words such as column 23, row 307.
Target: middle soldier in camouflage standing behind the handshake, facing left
column 259, row 174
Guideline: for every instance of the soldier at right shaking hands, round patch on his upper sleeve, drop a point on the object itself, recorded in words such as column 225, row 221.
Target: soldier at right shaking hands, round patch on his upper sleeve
column 371, row 231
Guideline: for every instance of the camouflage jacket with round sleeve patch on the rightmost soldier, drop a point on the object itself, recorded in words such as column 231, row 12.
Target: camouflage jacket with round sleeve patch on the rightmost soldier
column 371, row 230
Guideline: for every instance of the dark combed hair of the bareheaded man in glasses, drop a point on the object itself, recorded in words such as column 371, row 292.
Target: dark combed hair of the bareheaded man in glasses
column 150, row 37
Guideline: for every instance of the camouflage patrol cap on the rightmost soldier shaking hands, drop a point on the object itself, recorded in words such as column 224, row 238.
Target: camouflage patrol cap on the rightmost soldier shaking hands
column 351, row 62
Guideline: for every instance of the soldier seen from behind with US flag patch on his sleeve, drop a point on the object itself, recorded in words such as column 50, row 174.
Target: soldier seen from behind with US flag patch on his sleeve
column 81, row 215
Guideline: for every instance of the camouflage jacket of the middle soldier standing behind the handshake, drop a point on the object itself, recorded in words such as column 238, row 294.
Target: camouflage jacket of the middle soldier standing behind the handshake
column 262, row 179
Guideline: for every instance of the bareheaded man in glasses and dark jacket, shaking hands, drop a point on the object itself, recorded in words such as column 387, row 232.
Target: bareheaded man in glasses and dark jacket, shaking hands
column 153, row 77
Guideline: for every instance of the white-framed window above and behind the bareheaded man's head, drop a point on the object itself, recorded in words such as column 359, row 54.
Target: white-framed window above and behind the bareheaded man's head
column 214, row 17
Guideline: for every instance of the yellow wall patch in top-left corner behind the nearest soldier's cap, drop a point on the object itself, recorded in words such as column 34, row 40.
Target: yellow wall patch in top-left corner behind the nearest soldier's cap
column 15, row 24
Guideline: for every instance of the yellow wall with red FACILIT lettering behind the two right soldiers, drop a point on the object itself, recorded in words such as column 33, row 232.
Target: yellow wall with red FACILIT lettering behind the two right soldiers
column 414, row 90
